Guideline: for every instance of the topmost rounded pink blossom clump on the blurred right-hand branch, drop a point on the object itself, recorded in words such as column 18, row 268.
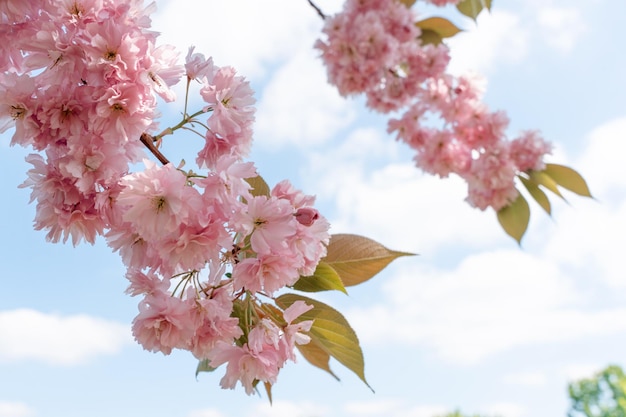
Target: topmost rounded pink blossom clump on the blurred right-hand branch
column 371, row 48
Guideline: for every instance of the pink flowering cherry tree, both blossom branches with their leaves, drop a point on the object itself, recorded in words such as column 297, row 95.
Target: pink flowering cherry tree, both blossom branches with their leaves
column 213, row 251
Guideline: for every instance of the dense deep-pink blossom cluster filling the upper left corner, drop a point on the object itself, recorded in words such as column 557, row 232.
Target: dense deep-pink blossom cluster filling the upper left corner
column 80, row 87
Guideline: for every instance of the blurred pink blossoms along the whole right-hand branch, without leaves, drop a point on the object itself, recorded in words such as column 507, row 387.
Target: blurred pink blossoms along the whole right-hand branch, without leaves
column 373, row 47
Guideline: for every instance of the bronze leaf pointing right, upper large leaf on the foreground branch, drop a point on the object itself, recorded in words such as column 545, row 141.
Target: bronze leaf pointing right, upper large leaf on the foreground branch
column 357, row 259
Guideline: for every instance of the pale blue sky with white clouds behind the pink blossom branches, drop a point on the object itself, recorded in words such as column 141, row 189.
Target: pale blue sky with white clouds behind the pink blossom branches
column 474, row 322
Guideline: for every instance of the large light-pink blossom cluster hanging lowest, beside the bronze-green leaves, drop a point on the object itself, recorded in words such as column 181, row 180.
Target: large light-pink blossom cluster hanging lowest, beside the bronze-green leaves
column 222, row 250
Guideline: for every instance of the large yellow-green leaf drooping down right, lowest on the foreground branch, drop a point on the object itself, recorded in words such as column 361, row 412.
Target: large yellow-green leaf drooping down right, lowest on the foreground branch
column 331, row 333
